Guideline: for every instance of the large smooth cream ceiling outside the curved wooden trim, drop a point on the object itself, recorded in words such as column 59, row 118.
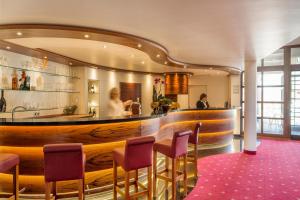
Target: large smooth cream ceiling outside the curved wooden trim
column 213, row 32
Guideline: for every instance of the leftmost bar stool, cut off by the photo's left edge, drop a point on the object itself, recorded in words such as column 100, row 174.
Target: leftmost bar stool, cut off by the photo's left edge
column 10, row 162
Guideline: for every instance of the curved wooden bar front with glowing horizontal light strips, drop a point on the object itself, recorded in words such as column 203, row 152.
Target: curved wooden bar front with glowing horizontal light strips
column 99, row 139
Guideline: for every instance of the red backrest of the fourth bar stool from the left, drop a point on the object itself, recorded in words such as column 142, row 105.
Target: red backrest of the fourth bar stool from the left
column 180, row 143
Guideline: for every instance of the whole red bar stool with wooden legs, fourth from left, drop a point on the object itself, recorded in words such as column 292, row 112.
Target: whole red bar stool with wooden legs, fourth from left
column 175, row 148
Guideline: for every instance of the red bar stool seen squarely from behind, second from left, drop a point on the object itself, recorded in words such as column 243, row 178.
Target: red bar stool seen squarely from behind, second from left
column 63, row 162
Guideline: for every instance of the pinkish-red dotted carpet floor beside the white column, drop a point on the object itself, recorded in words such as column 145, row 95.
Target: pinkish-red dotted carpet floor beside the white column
column 272, row 174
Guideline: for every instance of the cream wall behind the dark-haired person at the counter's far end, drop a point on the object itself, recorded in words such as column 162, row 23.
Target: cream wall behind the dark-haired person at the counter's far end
column 217, row 88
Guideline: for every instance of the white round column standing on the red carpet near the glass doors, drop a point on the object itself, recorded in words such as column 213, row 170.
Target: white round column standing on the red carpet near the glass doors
column 250, row 134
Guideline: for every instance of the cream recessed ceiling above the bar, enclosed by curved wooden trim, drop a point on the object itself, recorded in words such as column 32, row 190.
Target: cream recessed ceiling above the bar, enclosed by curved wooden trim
column 105, row 54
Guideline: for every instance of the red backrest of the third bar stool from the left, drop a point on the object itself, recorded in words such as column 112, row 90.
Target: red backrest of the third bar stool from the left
column 138, row 152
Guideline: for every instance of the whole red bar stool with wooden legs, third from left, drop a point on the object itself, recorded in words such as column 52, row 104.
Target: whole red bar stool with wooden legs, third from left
column 137, row 154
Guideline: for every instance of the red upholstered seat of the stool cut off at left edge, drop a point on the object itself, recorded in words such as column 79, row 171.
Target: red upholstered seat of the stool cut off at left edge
column 8, row 161
